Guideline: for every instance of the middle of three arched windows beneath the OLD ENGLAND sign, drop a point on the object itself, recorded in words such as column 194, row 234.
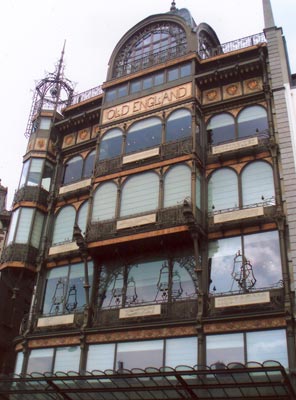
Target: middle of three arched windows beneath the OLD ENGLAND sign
column 144, row 134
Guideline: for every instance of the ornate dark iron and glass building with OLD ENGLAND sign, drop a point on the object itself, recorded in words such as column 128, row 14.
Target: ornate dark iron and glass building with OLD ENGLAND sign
column 155, row 216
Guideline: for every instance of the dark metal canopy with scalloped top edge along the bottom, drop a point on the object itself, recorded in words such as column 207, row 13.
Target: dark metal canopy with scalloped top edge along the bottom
column 236, row 381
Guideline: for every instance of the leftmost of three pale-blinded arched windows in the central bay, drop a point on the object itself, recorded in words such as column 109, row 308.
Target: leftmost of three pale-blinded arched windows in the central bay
column 104, row 202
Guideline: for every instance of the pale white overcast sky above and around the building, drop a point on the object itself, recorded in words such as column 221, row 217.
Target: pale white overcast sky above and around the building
column 33, row 32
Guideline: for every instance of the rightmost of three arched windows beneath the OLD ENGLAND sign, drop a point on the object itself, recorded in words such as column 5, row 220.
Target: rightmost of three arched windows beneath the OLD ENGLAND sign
column 178, row 125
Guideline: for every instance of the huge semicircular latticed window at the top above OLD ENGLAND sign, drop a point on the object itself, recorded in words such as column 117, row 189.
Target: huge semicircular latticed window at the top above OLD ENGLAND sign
column 155, row 43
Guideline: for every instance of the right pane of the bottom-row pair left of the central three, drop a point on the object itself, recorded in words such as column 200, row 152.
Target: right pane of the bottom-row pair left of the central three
column 67, row 359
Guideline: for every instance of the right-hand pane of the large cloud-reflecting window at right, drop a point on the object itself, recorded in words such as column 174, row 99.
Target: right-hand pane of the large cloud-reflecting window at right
column 263, row 252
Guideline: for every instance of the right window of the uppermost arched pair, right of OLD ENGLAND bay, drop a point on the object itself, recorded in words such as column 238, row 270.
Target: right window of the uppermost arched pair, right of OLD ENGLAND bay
column 251, row 121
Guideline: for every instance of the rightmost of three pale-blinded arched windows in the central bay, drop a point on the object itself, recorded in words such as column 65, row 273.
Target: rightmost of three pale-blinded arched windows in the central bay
column 177, row 185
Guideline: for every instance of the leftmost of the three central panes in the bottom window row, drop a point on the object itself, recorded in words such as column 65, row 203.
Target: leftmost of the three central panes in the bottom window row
column 100, row 357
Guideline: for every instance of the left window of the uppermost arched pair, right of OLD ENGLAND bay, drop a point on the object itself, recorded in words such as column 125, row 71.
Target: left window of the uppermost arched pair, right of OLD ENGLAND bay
column 221, row 128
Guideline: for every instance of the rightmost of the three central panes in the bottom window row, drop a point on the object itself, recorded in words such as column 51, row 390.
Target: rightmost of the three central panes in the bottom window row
column 181, row 351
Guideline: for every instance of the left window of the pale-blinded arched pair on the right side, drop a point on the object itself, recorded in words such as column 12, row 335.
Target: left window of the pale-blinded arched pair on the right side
column 223, row 190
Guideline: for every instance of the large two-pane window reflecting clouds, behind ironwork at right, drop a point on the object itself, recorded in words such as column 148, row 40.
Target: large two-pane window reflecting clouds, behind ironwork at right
column 262, row 252
